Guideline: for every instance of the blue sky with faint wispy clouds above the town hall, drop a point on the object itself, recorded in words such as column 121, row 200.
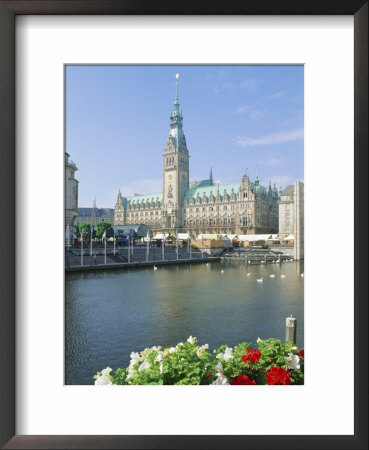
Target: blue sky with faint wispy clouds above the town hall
column 234, row 117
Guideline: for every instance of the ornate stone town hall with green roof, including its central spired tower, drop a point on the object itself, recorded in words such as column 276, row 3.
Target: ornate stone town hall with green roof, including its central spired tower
column 203, row 206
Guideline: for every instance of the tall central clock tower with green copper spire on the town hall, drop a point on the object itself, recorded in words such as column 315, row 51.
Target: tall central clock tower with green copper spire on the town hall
column 175, row 170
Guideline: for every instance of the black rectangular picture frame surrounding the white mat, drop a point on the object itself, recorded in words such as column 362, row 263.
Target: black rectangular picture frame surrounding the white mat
column 8, row 11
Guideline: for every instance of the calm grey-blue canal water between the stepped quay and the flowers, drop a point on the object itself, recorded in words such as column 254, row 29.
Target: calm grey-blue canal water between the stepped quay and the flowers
column 109, row 314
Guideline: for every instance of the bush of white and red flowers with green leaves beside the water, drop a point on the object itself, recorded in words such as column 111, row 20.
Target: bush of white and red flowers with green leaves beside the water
column 272, row 363
